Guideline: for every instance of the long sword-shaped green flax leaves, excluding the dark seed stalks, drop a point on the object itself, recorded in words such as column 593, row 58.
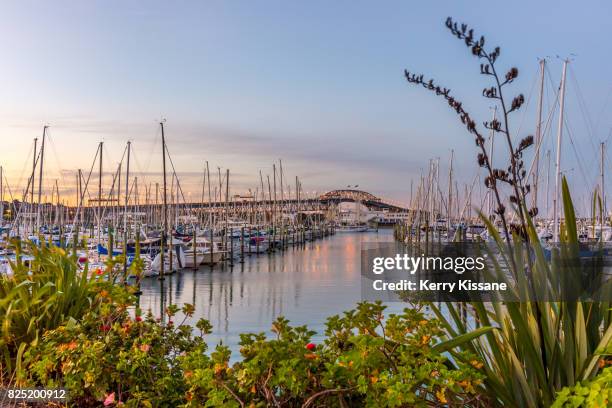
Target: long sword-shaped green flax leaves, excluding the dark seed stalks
column 537, row 347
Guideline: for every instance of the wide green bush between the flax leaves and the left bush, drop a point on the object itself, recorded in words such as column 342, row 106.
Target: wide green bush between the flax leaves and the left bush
column 364, row 361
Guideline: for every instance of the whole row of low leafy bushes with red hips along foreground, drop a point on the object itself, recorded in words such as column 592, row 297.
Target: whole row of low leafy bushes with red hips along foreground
column 112, row 358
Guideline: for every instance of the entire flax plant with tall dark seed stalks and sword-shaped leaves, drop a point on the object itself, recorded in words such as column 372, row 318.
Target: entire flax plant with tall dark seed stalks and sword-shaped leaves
column 534, row 348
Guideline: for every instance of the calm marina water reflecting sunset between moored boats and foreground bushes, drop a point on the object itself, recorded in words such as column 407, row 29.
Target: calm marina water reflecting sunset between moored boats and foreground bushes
column 305, row 285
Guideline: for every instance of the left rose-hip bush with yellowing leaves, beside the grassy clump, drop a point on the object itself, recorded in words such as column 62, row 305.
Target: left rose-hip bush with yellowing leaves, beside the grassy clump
column 110, row 352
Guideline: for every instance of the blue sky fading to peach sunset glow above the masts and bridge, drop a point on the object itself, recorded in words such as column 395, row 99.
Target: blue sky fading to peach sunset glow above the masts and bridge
column 318, row 84
